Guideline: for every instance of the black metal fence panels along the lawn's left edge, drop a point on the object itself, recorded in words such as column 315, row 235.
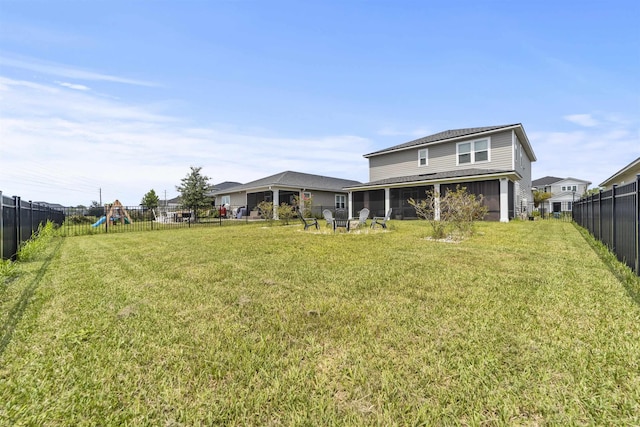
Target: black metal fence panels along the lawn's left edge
column 19, row 220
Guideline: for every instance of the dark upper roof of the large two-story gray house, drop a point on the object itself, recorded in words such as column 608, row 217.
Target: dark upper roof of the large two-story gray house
column 454, row 134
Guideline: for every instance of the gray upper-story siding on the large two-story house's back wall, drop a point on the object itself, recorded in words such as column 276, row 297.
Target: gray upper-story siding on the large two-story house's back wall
column 441, row 158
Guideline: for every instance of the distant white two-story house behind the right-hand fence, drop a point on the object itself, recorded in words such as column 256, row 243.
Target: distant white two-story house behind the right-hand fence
column 564, row 191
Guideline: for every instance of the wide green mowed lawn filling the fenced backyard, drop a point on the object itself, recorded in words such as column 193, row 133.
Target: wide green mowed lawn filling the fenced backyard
column 522, row 324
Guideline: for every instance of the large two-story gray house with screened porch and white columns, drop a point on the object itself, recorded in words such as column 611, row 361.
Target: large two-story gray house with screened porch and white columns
column 494, row 161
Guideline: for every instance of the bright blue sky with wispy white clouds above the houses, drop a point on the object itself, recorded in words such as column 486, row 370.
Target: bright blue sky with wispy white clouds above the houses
column 105, row 100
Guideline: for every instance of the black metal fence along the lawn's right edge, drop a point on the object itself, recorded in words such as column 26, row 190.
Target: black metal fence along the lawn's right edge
column 613, row 217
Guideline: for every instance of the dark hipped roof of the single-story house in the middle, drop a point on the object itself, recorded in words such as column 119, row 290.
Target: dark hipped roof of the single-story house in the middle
column 293, row 179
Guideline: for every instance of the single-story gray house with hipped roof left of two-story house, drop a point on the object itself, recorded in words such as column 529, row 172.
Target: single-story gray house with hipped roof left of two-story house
column 281, row 188
